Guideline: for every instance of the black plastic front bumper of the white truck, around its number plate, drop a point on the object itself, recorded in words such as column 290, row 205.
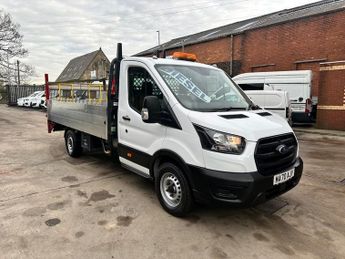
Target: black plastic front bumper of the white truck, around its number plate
column 239, row 189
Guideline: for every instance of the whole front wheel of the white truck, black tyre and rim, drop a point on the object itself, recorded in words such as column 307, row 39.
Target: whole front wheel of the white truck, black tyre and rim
column 173, row 191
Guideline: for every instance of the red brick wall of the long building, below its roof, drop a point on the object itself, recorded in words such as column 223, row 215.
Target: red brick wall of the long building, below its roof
column 290, row 46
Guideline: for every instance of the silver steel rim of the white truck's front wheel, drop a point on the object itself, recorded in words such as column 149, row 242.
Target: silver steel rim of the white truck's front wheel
column 171, row 191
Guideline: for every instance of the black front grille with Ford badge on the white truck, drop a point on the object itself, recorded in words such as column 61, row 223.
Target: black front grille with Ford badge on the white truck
column 267, row 157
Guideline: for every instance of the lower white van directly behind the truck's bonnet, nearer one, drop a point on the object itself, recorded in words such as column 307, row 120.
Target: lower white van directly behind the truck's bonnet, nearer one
column 275, row 101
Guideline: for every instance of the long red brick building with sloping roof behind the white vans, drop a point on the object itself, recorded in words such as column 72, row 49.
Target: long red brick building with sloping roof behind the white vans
column 294, row 39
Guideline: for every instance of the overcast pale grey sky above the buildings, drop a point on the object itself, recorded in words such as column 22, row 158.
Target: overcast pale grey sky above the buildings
column 59, row 30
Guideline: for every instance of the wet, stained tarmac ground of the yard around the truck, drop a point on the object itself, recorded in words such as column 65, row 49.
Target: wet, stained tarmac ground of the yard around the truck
column 54, row 206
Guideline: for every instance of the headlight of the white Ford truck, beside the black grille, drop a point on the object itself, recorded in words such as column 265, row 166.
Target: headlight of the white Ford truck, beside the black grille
column 220, row 141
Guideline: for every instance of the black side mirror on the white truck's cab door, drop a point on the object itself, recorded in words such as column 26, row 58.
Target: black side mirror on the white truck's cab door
column 151, row 111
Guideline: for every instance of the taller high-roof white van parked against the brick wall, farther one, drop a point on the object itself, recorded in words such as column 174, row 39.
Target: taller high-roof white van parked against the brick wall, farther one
column 296, row 83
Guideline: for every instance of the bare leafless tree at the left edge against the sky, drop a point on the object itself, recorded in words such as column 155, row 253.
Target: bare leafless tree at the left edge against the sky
column 11, row 48
